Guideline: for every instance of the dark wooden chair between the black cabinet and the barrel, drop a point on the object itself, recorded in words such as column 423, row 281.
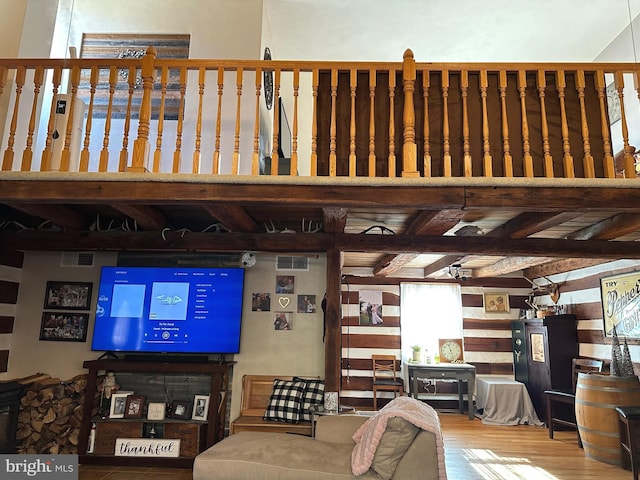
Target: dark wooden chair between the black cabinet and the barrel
column 564, row 397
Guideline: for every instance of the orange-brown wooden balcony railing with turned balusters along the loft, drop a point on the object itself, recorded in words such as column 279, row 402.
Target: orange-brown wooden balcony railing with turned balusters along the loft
column 407, row 119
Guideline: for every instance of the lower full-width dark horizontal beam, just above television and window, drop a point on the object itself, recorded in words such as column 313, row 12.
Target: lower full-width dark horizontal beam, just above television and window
column 319, row 242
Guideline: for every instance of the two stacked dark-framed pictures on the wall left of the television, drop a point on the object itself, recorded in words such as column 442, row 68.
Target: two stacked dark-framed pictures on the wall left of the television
column 66, row 311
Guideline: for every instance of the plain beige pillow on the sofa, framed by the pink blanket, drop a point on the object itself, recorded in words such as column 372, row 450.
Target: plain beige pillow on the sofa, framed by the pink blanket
column 395, row 441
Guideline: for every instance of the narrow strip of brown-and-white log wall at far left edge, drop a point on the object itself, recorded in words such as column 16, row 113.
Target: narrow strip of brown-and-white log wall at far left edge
column 10, row 273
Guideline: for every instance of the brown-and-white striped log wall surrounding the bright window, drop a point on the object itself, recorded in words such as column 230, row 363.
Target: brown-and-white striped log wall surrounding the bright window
column 487, row 336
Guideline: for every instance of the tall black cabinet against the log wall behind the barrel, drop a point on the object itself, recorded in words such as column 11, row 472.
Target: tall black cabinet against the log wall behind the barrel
column 542, row 353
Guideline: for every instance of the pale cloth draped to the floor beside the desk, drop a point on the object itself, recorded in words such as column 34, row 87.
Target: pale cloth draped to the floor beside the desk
column 504, row 402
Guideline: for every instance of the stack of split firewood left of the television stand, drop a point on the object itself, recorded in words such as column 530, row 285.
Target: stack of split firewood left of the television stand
column 50, row 415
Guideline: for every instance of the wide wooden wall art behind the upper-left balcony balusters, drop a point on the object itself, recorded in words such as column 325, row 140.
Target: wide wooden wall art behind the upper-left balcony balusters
column 115, row 45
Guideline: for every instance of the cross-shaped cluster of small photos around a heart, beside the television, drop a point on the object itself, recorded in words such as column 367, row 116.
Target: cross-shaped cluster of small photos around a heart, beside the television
column 284, row 308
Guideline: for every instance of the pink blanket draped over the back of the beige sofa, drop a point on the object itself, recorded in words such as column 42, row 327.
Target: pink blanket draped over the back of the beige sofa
column 368, row 436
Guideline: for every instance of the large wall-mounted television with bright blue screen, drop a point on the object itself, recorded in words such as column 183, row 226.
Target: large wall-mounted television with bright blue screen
column 169, row 310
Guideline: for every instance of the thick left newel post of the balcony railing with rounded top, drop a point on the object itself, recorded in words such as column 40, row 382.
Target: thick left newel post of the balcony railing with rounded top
column 141, row 148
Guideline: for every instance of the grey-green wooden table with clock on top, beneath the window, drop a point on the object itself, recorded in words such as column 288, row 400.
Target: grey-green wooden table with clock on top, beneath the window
column 462, row 372
